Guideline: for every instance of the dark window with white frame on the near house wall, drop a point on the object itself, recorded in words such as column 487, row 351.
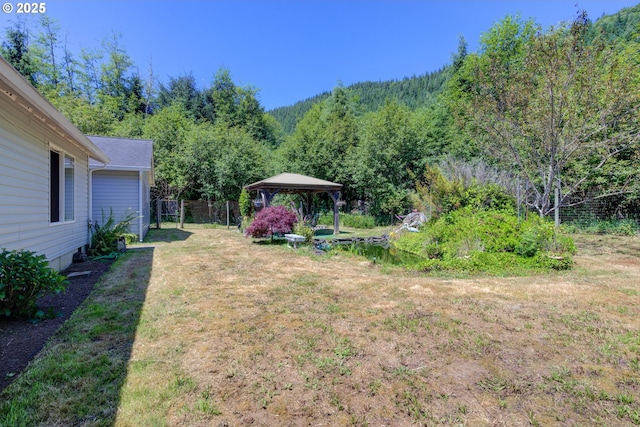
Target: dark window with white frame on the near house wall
column 62, row 187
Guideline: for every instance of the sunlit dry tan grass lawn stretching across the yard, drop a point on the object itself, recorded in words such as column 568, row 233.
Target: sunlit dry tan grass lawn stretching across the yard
column 238, row 333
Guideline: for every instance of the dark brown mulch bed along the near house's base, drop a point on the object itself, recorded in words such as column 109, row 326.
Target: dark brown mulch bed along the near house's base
column 21, row 340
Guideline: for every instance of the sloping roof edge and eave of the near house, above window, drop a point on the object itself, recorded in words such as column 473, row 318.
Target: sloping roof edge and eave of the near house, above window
column 18, row 89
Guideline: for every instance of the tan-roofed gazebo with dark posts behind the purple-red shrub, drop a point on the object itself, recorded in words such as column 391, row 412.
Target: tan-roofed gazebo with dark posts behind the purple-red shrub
column 306, row 186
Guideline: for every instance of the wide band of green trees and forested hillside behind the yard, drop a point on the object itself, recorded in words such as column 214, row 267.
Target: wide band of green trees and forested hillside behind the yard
column 551, row 109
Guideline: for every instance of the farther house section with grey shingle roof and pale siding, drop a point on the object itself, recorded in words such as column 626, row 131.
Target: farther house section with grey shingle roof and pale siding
column 122, row 186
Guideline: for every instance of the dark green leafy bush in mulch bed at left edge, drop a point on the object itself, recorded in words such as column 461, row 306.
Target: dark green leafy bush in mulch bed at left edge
column 24, row 277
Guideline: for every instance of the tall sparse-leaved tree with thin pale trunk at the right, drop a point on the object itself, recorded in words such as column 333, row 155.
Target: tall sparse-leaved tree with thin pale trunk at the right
column 506, row 97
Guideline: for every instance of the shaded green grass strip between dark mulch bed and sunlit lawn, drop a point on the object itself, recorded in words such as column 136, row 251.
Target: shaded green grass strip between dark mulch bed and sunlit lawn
column 76, row 379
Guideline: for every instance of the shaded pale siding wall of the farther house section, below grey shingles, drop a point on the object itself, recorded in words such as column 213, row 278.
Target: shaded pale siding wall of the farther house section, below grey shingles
column 117, row 191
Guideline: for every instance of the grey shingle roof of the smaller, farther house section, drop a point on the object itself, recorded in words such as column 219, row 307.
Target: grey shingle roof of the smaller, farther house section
column 125, row 153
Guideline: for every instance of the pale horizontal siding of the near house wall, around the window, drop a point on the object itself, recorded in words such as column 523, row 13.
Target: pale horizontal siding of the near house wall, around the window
column 24, row 189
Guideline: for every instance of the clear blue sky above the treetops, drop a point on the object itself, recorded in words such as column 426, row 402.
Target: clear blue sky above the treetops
column 293, row 50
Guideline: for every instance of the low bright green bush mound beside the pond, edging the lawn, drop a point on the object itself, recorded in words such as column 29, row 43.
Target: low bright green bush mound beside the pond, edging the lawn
column 490, row 241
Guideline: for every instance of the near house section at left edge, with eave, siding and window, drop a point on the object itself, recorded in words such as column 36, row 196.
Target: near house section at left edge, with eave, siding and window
column 44, row 174
